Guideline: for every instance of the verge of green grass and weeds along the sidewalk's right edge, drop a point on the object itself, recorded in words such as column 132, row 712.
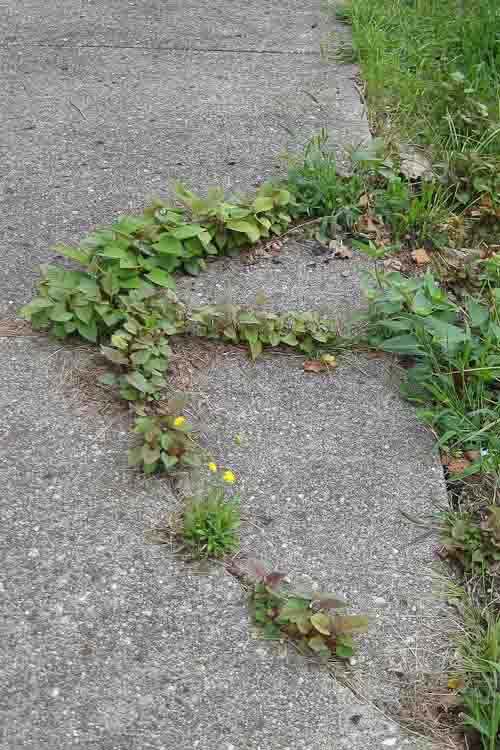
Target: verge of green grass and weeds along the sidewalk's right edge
column 431, row 70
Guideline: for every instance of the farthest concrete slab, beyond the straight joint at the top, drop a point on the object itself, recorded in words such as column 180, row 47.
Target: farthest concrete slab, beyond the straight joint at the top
column 288, row 26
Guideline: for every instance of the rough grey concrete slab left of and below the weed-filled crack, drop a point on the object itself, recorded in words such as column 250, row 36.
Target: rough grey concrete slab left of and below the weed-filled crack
column 109, row 642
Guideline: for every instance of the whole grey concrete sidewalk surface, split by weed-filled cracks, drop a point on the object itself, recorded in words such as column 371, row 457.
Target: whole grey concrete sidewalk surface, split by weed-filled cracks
column 110, row 642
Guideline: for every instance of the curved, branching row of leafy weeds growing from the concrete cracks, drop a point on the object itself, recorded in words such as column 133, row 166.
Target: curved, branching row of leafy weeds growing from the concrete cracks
column 124, row 301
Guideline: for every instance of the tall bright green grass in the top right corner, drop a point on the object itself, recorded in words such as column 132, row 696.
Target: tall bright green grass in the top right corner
column 432, row 69
